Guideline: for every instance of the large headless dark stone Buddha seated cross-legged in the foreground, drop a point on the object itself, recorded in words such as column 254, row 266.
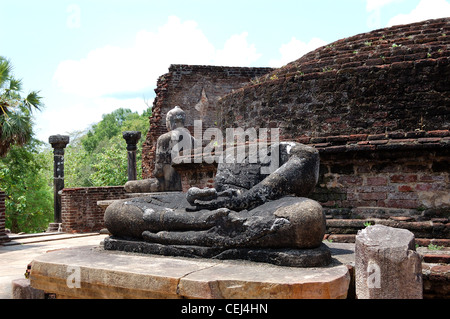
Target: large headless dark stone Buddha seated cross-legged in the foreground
column 248, row 215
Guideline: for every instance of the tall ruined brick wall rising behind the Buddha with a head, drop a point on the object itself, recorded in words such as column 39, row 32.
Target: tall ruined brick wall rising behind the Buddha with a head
column 196, row 89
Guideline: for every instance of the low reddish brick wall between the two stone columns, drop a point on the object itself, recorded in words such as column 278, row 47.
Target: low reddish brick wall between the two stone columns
column 79, row 209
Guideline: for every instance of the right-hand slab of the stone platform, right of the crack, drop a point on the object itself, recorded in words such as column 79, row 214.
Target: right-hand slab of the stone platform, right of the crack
column 232, row 280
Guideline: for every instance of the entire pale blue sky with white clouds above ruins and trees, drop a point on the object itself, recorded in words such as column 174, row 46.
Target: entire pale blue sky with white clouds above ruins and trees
column 89, row 58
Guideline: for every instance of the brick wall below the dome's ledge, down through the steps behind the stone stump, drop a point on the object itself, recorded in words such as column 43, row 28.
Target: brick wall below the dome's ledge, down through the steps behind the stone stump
column 398, row 180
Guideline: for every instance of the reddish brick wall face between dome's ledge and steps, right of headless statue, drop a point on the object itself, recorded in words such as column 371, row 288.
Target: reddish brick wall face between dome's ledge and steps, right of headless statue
column 406, row 171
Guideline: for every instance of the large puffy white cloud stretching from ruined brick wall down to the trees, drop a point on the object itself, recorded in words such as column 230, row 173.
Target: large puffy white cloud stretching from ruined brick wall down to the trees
column 110, row 77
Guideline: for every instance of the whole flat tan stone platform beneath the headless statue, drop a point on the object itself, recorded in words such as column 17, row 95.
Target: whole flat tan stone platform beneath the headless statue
column 91, row 272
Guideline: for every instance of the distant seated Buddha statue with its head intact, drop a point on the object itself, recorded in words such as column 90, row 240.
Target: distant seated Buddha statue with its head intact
column 166, row 177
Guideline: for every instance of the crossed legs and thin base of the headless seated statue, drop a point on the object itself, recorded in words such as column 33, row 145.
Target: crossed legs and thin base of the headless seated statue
column 297, row 242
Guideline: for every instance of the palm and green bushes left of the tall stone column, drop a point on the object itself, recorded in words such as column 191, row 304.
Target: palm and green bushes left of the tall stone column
column 23, row 169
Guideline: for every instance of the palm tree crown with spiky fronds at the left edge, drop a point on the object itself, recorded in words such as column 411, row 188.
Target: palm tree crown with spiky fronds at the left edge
column 15, row 111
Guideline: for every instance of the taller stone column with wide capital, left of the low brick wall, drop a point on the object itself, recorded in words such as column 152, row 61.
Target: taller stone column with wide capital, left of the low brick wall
column 58, row 142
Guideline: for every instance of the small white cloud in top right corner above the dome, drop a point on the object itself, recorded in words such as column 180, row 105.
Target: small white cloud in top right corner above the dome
column 426, row 9
